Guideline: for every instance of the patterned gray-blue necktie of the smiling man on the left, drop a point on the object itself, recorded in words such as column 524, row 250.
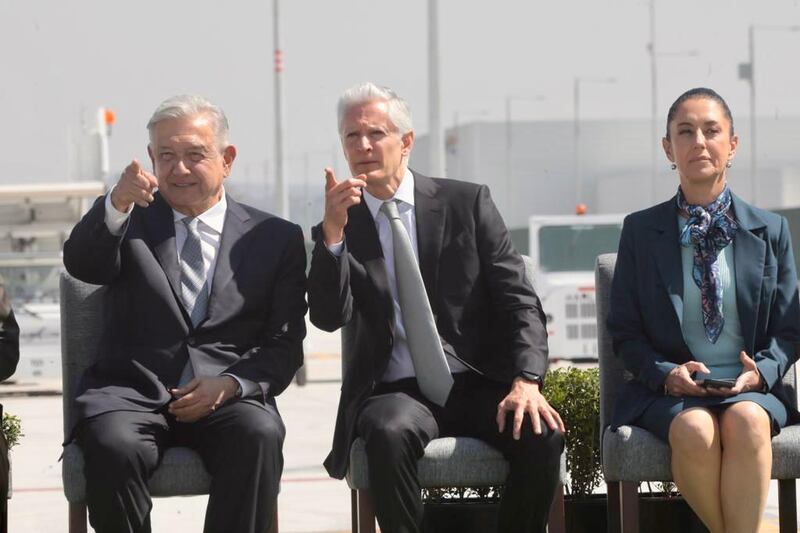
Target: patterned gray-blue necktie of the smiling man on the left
column 194, row 286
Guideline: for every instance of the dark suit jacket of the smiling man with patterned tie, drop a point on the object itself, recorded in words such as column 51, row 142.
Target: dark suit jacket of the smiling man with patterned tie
column 255, row 322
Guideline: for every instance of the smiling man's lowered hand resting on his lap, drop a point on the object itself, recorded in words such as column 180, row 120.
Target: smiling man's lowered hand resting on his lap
column 201, row 396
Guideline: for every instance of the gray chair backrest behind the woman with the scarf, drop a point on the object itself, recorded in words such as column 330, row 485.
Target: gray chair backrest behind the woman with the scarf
column 612, row 372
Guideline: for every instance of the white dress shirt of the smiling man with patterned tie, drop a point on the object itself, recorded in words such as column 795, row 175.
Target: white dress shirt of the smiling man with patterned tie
column 209, row 226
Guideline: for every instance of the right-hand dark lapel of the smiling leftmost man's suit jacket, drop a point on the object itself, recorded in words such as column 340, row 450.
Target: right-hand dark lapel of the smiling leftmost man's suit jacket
column 229, row 256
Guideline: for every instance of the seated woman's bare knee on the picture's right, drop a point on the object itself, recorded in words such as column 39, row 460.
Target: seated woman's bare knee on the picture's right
column 746, row 426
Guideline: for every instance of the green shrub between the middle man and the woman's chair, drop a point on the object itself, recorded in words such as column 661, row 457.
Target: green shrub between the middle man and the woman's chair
column 575, row 394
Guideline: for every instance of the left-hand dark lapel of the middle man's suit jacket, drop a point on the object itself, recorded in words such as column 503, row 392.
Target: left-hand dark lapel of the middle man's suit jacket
column 364, row 244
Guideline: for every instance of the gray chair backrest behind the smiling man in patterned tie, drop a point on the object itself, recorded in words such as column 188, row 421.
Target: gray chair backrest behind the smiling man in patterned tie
column 83, row 312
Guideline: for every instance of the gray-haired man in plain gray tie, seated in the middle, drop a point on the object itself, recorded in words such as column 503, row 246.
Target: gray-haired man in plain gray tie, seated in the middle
column 447, row 338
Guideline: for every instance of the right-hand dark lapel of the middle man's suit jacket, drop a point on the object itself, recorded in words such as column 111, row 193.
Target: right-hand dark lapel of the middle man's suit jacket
column 430, row 214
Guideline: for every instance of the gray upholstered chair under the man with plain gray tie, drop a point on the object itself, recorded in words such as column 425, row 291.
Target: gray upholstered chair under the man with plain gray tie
column 448, row 462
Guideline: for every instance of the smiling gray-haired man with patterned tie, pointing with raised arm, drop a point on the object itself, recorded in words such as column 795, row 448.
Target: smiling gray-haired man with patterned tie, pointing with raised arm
column 204, row 331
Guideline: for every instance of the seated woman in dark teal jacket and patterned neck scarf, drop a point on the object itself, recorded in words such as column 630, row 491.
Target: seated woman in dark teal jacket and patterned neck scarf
column 705, row 288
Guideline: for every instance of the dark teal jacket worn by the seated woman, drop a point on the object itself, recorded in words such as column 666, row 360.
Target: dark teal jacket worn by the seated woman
column 647, row 301
